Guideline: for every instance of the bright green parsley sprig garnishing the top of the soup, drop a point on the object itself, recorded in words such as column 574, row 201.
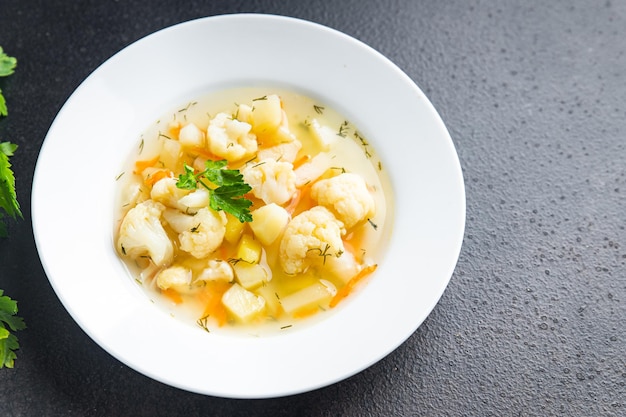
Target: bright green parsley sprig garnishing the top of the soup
column 226, row 187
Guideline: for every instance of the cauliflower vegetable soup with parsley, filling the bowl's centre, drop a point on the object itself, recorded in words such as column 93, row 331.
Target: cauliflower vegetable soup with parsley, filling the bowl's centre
column 252, row 209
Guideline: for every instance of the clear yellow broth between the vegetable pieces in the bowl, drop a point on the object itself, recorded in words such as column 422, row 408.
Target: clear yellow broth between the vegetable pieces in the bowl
column 348, row 152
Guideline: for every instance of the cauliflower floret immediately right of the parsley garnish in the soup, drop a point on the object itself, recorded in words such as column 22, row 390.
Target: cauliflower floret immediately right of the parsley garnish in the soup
column 271, row 181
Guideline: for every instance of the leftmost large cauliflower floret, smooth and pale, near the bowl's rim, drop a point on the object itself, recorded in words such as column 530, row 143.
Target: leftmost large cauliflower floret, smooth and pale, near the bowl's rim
column 141, row 233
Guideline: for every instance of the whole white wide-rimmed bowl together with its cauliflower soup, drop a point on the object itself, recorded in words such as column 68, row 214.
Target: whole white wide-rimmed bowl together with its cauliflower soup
column 261, row 217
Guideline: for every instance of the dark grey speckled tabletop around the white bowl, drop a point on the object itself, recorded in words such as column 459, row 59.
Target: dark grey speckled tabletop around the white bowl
column 532, row 323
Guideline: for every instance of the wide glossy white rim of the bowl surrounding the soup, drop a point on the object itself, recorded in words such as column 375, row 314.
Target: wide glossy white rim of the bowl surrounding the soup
column 74, row 186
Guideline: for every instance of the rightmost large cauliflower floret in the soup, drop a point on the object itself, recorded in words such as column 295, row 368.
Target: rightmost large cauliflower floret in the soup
column 347, row 196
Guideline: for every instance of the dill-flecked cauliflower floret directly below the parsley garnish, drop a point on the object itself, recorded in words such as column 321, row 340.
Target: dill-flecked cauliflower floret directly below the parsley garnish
column 200, row 234
